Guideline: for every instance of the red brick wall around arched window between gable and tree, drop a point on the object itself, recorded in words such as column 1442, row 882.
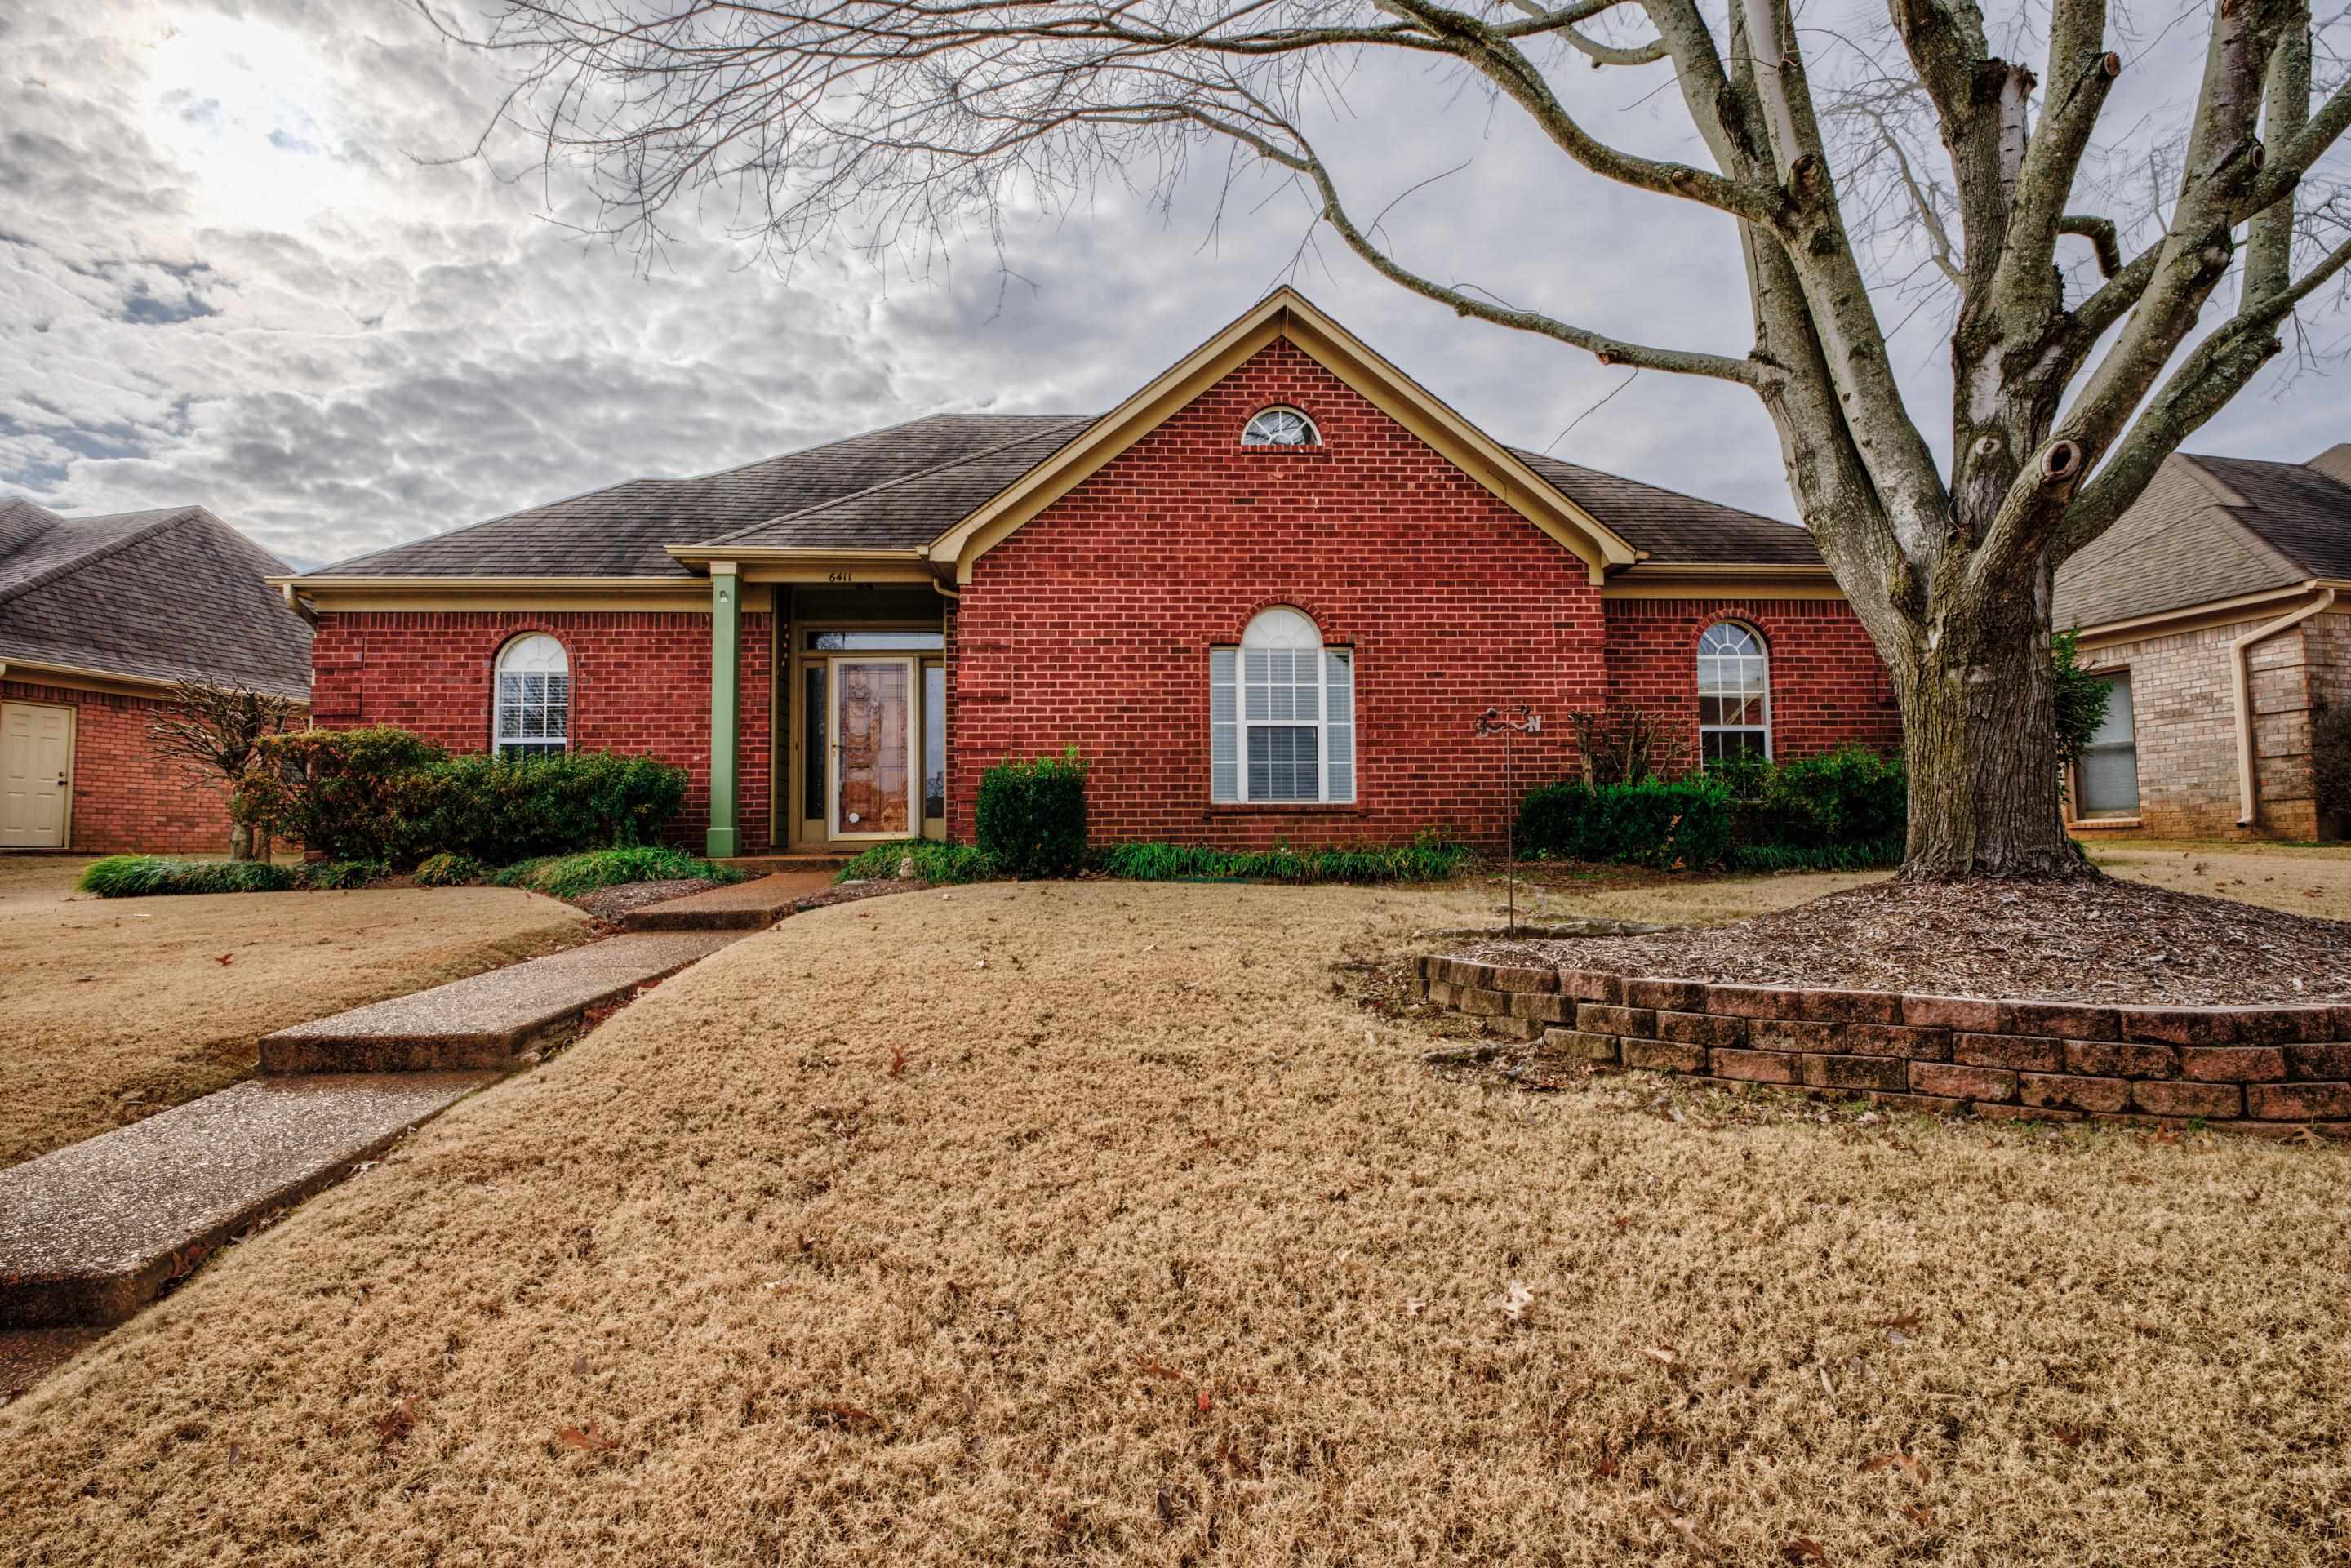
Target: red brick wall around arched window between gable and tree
column 1828, row 685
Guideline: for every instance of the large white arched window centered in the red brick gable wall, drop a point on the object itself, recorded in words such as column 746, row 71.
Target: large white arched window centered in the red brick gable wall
column 1282, row 716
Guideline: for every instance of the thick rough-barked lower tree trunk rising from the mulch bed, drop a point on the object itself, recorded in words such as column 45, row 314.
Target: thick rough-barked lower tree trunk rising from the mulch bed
column 1981, row 737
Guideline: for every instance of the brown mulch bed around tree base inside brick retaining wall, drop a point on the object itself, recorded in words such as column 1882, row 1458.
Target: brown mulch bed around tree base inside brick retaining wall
column 2089, row 939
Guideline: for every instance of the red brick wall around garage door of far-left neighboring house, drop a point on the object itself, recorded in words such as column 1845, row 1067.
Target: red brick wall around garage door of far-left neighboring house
column 126, row 798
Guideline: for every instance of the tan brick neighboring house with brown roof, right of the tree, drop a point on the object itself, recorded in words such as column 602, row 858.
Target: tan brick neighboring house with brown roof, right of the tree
column 2223, row 610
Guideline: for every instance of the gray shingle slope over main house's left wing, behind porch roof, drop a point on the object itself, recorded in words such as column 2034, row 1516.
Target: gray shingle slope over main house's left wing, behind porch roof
column 624, row 530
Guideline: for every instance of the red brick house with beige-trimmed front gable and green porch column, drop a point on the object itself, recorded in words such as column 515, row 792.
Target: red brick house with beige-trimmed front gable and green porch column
column 1266, row 598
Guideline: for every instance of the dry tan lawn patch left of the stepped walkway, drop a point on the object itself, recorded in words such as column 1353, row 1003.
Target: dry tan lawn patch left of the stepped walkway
column 123, row 1007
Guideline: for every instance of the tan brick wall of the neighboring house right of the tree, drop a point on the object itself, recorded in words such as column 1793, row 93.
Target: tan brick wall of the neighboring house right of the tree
column 2185, row 716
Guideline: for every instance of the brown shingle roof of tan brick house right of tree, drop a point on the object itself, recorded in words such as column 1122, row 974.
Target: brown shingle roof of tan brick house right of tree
column 2213, row 530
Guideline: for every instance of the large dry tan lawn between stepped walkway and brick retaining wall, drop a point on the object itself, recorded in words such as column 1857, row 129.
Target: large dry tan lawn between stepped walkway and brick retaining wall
column 1092, row 1224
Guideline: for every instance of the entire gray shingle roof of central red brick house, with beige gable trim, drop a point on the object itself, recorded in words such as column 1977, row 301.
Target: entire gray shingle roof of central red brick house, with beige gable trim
column 930, row 485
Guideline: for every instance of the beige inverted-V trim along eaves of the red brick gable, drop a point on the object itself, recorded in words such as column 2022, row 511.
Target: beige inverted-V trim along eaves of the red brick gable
column 1285, row 314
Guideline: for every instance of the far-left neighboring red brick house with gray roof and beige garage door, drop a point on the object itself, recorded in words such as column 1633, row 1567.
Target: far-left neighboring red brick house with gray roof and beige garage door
column 98, row 619
